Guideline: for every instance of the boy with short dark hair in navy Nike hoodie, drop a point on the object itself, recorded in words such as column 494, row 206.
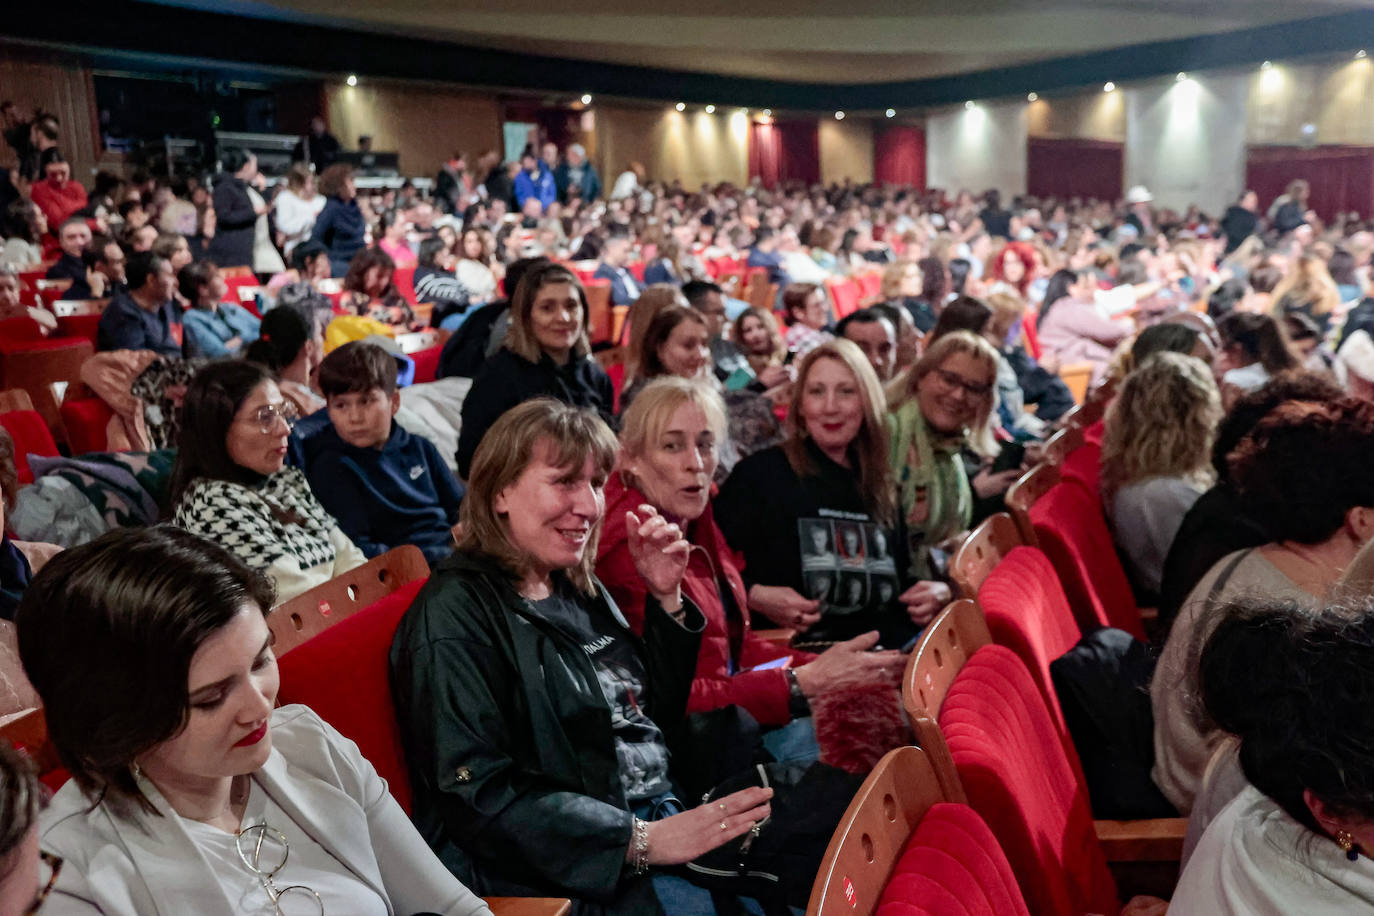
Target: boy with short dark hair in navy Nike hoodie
column 383, row 485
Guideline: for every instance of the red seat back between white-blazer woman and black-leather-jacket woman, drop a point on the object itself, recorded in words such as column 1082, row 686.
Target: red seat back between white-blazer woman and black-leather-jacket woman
column 344, row 675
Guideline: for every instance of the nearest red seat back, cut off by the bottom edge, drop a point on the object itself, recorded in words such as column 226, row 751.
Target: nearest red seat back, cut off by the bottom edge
column 953, row 867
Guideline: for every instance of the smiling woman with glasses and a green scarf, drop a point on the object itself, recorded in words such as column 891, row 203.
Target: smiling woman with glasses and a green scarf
column 947, row 407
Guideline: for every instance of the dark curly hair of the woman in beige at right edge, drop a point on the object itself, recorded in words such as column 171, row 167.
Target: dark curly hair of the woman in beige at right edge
column 1305, row 466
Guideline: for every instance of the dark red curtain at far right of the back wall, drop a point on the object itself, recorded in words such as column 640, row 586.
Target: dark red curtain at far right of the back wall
column 1342, row 178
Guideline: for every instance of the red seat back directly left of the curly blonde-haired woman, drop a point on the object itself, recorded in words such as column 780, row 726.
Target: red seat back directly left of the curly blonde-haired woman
column 1068, row 523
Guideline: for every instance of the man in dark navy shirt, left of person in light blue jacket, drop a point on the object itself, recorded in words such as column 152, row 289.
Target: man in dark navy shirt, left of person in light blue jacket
column 146, row 318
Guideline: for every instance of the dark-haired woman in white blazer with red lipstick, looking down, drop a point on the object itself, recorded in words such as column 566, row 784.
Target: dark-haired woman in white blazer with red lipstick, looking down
column 189, row 792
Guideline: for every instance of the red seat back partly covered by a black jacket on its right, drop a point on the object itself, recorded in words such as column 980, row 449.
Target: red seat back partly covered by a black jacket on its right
column 1028, row 613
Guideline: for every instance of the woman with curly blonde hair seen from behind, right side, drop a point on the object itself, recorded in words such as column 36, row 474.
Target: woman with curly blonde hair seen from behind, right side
column 1156, row 459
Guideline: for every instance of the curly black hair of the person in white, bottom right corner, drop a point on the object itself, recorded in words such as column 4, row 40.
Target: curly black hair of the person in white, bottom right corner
column 1303, row 715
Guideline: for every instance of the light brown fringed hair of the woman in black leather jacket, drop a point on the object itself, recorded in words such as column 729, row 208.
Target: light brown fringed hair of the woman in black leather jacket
column 539, row 429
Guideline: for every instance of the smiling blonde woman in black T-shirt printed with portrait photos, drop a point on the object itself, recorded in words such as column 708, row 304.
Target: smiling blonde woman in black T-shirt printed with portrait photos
column 815, row 517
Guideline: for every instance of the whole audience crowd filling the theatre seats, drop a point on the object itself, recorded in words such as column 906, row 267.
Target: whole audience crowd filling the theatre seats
column 623, row 498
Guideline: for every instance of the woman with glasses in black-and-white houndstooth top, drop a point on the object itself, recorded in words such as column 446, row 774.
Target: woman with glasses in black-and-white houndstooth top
column 232, row 484
